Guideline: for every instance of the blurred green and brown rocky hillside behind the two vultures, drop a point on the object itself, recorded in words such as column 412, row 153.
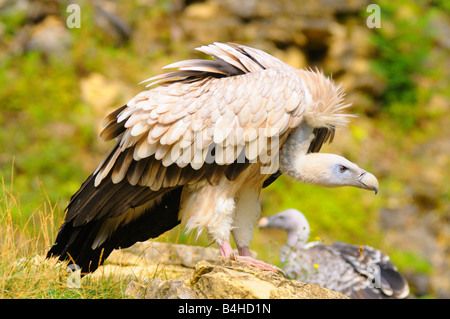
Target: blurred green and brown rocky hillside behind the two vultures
column 58, row 83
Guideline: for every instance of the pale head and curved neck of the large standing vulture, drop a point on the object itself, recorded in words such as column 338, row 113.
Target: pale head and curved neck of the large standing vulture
column 300, row 160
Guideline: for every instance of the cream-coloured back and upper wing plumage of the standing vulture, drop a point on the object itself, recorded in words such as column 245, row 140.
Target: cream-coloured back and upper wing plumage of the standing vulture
column 230, row 107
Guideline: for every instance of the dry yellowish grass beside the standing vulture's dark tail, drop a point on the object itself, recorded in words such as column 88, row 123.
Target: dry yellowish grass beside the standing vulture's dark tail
column 24, row 241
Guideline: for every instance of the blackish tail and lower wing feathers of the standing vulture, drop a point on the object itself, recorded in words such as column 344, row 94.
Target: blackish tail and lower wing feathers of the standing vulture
column 99, row 220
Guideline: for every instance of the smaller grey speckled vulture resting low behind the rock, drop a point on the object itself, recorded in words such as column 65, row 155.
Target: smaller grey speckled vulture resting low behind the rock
column 355, row 271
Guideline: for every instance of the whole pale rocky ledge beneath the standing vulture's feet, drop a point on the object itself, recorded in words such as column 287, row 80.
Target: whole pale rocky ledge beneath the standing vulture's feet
column 173, row 271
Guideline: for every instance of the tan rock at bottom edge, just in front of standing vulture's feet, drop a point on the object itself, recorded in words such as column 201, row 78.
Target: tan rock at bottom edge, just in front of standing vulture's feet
column 227, row 279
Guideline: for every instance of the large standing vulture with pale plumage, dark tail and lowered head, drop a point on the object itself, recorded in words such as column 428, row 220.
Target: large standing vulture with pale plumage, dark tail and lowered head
column 199, row 146
